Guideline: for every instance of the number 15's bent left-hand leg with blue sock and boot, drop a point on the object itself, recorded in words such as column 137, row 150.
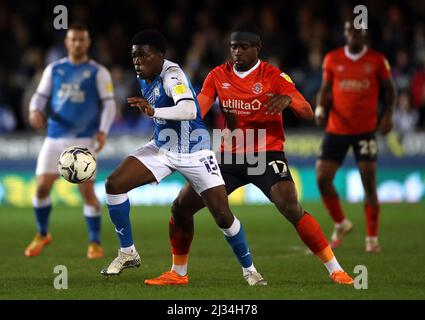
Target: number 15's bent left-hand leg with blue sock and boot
column 130, row 174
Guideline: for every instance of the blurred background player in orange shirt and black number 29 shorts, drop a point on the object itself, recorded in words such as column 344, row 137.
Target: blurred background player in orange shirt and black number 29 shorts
column 352, row 76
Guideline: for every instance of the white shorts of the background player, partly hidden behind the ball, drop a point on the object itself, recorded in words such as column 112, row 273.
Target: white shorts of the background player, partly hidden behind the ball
column 47, row 162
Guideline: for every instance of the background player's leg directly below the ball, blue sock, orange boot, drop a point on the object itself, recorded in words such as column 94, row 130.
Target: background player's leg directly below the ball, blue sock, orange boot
column 92, row 213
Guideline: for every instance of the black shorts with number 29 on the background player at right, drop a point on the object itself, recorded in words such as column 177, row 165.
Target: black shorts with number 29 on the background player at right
column 335, row 147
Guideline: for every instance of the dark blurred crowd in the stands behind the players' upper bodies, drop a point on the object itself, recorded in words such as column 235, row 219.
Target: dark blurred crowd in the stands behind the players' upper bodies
column 296, row 35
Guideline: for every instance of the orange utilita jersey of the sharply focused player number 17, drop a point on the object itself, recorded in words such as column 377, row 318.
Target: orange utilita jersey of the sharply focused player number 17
column 242, row 103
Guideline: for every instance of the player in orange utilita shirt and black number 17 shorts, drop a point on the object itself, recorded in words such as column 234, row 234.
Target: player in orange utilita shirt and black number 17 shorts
column 252, row 95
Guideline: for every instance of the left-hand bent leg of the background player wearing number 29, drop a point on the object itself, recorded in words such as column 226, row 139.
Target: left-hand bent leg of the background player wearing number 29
column 326, row 170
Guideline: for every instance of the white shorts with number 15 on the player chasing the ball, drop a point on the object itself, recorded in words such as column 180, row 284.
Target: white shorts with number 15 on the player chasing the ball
column 199, row 168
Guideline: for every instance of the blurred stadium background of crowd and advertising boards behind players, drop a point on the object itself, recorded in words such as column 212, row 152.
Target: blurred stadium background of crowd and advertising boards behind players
column 296, row 35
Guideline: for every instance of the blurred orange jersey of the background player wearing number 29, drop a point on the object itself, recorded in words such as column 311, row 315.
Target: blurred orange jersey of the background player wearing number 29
column 355, row 90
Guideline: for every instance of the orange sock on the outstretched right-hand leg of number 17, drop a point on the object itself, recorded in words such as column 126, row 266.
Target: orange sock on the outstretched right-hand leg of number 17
column 311, row 234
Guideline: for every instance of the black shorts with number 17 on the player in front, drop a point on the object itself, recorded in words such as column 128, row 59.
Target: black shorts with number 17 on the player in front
column 236, row 174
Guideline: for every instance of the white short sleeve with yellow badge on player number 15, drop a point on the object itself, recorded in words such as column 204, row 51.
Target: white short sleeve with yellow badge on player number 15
column 176, row 85
